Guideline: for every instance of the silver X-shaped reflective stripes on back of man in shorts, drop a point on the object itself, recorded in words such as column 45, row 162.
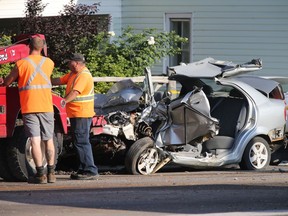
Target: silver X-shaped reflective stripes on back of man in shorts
column 37, row 70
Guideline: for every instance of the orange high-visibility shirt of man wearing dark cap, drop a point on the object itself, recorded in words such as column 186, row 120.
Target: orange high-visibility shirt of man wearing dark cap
column 83, row 83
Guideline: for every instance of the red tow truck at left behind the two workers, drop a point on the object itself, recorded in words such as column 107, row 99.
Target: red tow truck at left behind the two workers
column 16, row 161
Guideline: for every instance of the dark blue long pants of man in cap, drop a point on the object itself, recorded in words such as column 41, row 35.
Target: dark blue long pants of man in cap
column 80, row 128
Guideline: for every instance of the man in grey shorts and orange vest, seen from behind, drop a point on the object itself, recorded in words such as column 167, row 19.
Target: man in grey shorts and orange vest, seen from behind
column 33, row 74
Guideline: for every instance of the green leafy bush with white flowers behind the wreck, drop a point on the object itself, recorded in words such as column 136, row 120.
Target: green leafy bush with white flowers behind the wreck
column 128, row 54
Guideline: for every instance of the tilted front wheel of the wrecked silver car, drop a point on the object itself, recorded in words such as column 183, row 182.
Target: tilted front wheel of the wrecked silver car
column 142, row 157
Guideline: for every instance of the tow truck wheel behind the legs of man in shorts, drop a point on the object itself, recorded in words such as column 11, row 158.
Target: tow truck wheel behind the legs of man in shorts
column 20, row 159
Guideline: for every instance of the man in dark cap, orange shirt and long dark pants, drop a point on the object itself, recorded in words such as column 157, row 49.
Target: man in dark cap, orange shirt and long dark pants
column 79, row 100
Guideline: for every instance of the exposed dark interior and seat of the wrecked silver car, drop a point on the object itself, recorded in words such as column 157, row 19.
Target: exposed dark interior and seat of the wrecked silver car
column 229, row 106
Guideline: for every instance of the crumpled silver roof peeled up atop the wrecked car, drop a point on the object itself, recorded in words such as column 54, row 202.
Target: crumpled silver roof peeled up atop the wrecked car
column 210, row 68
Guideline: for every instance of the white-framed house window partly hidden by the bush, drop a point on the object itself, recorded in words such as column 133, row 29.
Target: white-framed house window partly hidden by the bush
column 181, row 24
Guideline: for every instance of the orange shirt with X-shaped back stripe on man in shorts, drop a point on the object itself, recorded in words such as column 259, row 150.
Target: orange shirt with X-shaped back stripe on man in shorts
column 37, row 96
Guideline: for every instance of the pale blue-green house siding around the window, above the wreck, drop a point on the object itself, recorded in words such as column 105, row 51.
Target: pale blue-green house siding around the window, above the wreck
column 224, row 29
